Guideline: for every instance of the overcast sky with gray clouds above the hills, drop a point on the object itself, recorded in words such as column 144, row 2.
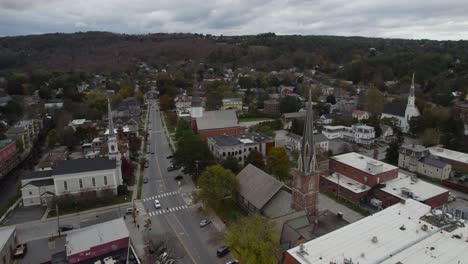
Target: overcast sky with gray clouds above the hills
column 432, row 19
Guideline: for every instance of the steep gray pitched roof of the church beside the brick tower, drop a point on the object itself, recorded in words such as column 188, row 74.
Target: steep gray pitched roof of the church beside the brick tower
column 257, row 186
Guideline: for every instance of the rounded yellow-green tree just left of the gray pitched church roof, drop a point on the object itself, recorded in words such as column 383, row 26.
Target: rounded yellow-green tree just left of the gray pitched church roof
column 216, row 185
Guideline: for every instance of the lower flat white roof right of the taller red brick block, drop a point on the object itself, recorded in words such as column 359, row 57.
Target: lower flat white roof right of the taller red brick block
column 420, row 189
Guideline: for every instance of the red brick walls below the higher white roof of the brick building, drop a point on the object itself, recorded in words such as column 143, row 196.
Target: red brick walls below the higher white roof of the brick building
column 359, row 175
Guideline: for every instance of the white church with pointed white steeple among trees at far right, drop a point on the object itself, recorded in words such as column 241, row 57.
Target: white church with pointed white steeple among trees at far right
column 402, row 113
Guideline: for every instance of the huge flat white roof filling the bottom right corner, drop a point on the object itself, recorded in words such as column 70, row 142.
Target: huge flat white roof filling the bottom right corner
column 391, row 244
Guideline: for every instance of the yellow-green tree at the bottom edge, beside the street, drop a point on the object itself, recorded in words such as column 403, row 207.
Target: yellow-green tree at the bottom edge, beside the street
column 254, row 240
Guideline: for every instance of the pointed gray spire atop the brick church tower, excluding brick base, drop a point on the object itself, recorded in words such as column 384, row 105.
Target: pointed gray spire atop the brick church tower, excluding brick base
column 307, row 159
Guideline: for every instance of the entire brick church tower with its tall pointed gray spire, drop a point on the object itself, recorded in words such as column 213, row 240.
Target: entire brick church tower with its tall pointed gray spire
column 305, row 187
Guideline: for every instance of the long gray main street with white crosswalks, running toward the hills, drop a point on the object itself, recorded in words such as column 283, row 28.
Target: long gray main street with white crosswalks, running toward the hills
column 177, row 222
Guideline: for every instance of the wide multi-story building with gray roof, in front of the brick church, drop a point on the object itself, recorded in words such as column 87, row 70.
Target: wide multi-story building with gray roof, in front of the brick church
column 239, row 146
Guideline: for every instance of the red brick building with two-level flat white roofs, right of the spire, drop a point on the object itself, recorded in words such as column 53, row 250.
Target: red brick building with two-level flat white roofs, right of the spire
column 360, row 179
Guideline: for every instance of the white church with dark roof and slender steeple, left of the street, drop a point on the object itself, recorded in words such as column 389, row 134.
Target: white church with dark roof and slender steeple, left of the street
column 75, row 176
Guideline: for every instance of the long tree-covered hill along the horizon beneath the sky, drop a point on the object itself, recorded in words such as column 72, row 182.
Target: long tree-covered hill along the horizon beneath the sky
column 440, row 66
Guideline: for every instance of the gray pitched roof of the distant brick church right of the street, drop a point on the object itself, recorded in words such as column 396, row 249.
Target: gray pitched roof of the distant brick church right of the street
column 217, row 119
